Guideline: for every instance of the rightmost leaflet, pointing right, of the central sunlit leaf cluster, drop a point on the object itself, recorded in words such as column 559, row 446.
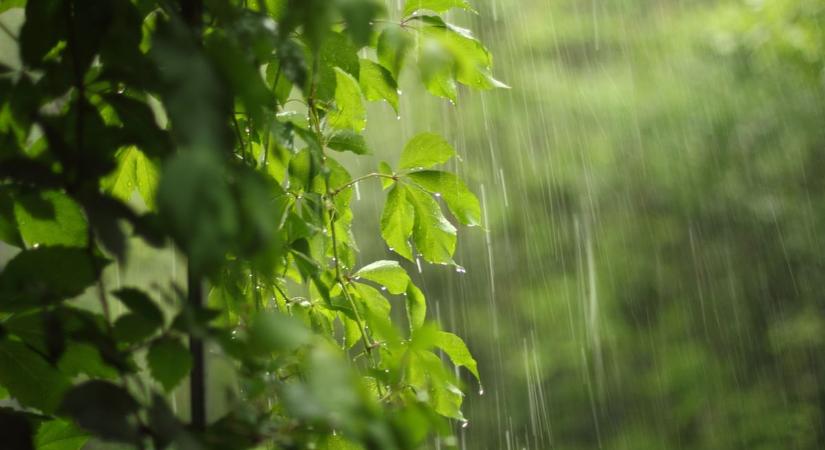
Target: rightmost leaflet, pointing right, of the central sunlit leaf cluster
column 462, row 203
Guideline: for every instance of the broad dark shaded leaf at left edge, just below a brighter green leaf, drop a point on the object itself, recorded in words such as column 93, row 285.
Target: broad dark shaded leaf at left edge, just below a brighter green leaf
column 45, row 275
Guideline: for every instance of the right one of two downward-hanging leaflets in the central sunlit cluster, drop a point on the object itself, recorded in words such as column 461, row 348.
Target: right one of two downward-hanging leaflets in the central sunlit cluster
column 434, row 236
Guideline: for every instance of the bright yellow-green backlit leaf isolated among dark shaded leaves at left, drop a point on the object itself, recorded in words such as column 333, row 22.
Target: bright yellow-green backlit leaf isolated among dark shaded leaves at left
column 134, row 171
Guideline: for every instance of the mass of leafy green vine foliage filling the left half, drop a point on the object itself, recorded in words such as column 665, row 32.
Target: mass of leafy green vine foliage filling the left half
column 215, row 127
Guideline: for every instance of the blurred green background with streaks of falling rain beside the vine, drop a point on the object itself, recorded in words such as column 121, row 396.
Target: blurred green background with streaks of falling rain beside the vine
column 651, row 274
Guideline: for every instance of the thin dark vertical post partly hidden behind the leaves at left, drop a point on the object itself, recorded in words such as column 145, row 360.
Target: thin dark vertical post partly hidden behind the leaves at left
column 192, row 13
